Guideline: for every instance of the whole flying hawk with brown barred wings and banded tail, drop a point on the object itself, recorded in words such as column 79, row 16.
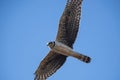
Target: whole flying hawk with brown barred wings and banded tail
column 62, row 47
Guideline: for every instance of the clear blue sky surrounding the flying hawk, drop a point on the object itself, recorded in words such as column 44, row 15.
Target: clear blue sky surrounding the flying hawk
column 27, row 25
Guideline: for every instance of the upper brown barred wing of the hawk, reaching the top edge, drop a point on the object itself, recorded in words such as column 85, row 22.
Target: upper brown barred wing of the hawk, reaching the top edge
column 69, row 23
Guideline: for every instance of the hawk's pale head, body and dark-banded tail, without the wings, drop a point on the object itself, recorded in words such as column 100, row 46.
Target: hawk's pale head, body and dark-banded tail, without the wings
column 60, row 48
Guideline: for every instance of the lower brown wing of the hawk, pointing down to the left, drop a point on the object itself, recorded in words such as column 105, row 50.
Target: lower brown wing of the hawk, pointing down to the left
column 52, row 62
